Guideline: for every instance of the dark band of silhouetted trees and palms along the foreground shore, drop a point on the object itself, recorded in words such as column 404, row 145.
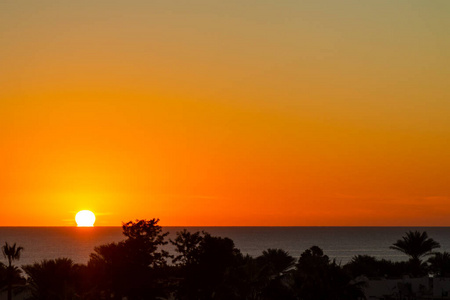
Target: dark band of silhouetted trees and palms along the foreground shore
column 208, row 267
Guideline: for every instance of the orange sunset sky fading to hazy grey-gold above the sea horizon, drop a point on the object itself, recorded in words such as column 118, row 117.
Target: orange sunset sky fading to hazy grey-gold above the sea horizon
column 225, row 113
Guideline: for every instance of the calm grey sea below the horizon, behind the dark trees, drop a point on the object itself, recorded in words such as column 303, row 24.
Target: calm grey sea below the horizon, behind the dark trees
column 341, row 243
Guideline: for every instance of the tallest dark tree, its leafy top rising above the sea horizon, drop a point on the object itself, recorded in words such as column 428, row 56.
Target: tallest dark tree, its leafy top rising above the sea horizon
column 132, row 268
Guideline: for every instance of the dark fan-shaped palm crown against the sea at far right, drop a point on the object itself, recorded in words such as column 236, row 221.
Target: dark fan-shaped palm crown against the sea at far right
column 416, row 245
